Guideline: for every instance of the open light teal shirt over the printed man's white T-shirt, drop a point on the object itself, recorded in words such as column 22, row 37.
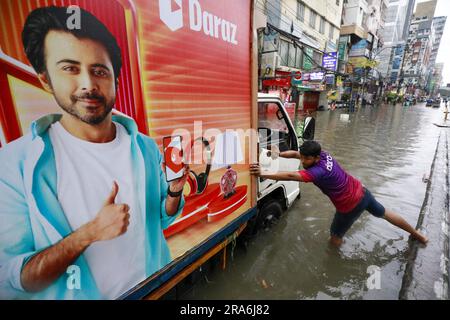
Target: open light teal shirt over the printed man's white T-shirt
column 31, row 218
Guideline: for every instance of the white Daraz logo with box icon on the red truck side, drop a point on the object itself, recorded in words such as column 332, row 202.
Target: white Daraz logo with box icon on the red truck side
column 199, row 20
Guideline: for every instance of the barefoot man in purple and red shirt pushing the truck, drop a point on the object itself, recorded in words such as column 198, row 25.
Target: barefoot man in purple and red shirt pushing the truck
column 347, row 193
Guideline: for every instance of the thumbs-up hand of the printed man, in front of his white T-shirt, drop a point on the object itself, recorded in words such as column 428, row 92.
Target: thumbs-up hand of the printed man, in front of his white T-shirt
column 112, row 220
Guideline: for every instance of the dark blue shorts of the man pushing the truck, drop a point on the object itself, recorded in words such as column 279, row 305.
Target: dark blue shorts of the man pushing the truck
column 343, row 221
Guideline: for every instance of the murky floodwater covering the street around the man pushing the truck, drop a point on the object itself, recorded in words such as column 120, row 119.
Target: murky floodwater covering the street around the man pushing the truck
column 390, row 149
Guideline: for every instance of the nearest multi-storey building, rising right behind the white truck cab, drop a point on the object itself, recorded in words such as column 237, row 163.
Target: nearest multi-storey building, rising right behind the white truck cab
column 299, row 34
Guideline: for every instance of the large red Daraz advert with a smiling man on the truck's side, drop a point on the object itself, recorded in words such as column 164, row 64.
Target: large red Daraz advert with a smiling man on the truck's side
column 161, row 68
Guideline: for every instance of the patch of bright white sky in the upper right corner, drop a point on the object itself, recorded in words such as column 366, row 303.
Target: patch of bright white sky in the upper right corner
column 443, row 9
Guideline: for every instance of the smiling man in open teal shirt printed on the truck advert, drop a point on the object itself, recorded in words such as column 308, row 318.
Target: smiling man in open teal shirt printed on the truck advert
column 83, row 198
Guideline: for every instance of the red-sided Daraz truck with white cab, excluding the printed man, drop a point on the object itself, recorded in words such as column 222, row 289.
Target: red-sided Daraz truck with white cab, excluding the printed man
column 189, row 68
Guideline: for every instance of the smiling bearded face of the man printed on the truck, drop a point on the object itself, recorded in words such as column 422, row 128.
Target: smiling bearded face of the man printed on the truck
column 80, row 75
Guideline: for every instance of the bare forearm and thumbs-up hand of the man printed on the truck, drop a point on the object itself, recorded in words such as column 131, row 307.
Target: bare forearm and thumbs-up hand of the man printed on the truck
column 48, row 265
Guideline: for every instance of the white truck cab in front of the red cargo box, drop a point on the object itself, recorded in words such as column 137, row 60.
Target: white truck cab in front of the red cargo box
column 275, row 128
